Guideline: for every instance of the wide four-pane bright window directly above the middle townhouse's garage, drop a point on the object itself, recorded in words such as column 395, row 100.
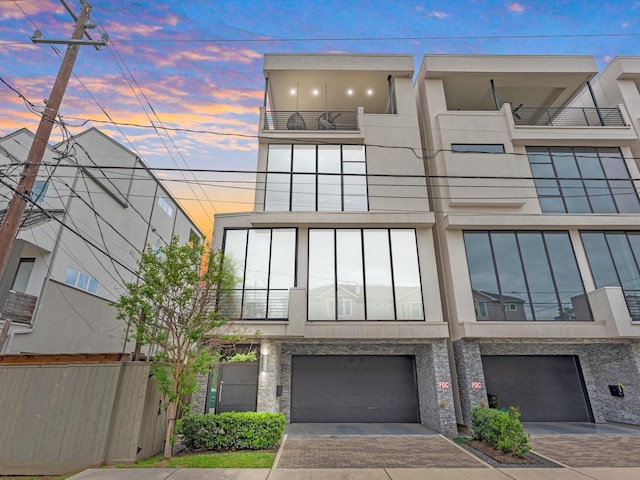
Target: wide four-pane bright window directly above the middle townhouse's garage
column 370, row 274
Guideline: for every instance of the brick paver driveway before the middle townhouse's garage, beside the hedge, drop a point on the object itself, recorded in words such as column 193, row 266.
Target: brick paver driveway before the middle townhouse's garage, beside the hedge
column 374, row 451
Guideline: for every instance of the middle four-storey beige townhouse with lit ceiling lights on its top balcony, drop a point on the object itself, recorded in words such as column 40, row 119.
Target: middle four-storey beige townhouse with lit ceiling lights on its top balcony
column 337, row 258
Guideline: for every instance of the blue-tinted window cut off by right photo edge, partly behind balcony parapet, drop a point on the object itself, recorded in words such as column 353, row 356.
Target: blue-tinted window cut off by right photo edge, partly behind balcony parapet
column 613, row 258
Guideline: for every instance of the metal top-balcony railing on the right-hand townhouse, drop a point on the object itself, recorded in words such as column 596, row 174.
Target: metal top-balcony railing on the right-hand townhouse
column 568, row 116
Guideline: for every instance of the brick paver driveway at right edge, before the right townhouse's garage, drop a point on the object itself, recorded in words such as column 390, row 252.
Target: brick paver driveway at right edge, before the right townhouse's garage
column 590, row 450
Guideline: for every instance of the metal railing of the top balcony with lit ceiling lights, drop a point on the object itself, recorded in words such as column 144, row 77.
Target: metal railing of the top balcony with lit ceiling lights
column 320, row 120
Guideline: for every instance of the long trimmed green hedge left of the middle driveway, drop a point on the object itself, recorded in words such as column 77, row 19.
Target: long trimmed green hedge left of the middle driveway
column 232, row 431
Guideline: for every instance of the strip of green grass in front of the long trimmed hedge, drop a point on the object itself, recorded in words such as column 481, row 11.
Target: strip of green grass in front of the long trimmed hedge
column 209, row 460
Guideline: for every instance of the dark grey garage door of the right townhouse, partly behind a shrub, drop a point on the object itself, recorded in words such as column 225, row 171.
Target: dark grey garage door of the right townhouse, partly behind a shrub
column 546, row 388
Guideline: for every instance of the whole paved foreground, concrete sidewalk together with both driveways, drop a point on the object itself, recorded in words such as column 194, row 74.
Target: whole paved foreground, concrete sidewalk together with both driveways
column 410, row 452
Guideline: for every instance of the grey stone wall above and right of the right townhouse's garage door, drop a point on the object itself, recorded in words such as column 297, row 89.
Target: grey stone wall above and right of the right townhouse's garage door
column 603, row 363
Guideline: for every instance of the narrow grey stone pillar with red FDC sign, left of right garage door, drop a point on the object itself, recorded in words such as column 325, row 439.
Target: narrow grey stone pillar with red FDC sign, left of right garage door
column 469, row 369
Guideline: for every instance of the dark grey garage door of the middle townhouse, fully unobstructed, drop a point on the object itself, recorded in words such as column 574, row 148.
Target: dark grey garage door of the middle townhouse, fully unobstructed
column 353, row 389
